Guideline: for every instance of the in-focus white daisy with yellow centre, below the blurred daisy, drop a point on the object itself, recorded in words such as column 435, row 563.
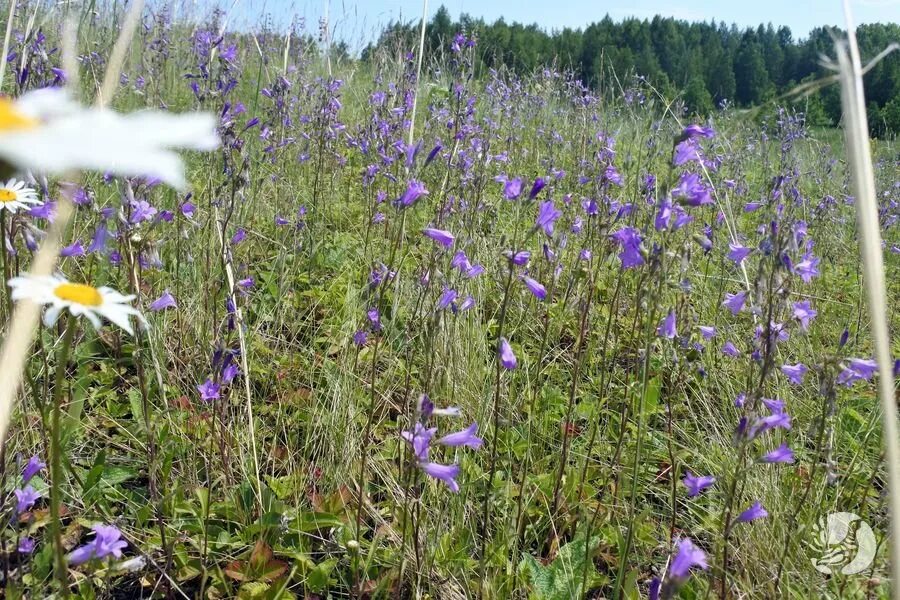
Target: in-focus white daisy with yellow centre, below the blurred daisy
column 78, row 298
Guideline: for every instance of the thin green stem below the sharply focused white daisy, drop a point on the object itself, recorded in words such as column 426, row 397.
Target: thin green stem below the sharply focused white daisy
column 59, row 560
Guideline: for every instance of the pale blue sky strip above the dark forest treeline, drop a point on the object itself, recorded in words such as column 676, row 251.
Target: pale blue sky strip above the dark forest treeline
column 356, row 20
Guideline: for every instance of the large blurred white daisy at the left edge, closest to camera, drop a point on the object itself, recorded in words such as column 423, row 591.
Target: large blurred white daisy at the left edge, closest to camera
column 44, row 130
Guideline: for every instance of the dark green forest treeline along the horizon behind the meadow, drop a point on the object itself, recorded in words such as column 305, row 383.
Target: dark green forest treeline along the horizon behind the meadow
column 706, row 63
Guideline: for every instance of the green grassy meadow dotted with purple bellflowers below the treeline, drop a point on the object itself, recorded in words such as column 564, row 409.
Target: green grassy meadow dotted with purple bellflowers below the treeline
column 295, row 231
